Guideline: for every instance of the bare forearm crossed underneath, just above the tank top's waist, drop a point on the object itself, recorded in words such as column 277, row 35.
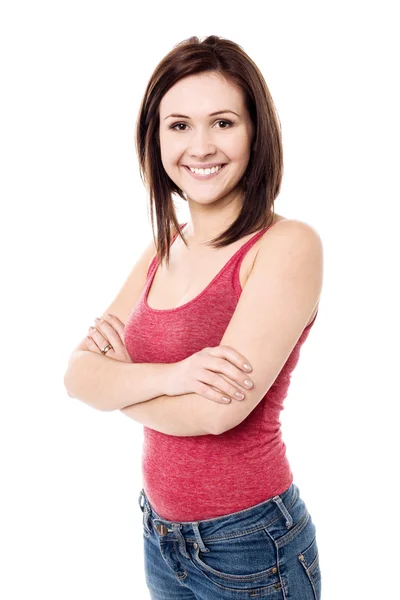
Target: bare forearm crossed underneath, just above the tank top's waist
column 186, row 415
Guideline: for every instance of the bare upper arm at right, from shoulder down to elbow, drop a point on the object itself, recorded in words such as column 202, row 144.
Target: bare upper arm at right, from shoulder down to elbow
column 278, row 300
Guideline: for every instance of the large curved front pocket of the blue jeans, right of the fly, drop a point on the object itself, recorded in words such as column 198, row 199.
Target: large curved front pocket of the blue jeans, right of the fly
column 243, row 563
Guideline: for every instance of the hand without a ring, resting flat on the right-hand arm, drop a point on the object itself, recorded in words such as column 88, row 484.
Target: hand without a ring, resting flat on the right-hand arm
column 200, row 374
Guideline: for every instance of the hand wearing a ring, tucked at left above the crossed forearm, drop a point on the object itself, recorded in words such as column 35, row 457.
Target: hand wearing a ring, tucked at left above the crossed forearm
column 108, row 330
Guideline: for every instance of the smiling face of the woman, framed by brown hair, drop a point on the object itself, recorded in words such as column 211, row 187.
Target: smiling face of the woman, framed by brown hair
column 192, row 137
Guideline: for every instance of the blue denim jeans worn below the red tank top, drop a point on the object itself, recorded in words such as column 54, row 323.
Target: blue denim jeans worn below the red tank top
column 268, row 550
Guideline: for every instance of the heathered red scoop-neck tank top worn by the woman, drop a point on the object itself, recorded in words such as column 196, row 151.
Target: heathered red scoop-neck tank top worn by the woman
column 201, row 477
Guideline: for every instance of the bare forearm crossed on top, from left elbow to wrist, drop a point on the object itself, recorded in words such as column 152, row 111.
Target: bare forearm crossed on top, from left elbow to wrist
column 108, row 384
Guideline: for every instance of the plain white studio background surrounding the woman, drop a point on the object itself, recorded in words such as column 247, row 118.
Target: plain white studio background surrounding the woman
column 74, row 220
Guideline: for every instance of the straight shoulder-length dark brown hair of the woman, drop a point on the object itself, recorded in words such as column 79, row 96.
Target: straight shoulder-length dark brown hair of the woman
column 262, row 178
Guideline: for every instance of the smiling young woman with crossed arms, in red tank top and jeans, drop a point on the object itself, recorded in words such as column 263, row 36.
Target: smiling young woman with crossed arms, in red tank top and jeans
column 236, row 284
